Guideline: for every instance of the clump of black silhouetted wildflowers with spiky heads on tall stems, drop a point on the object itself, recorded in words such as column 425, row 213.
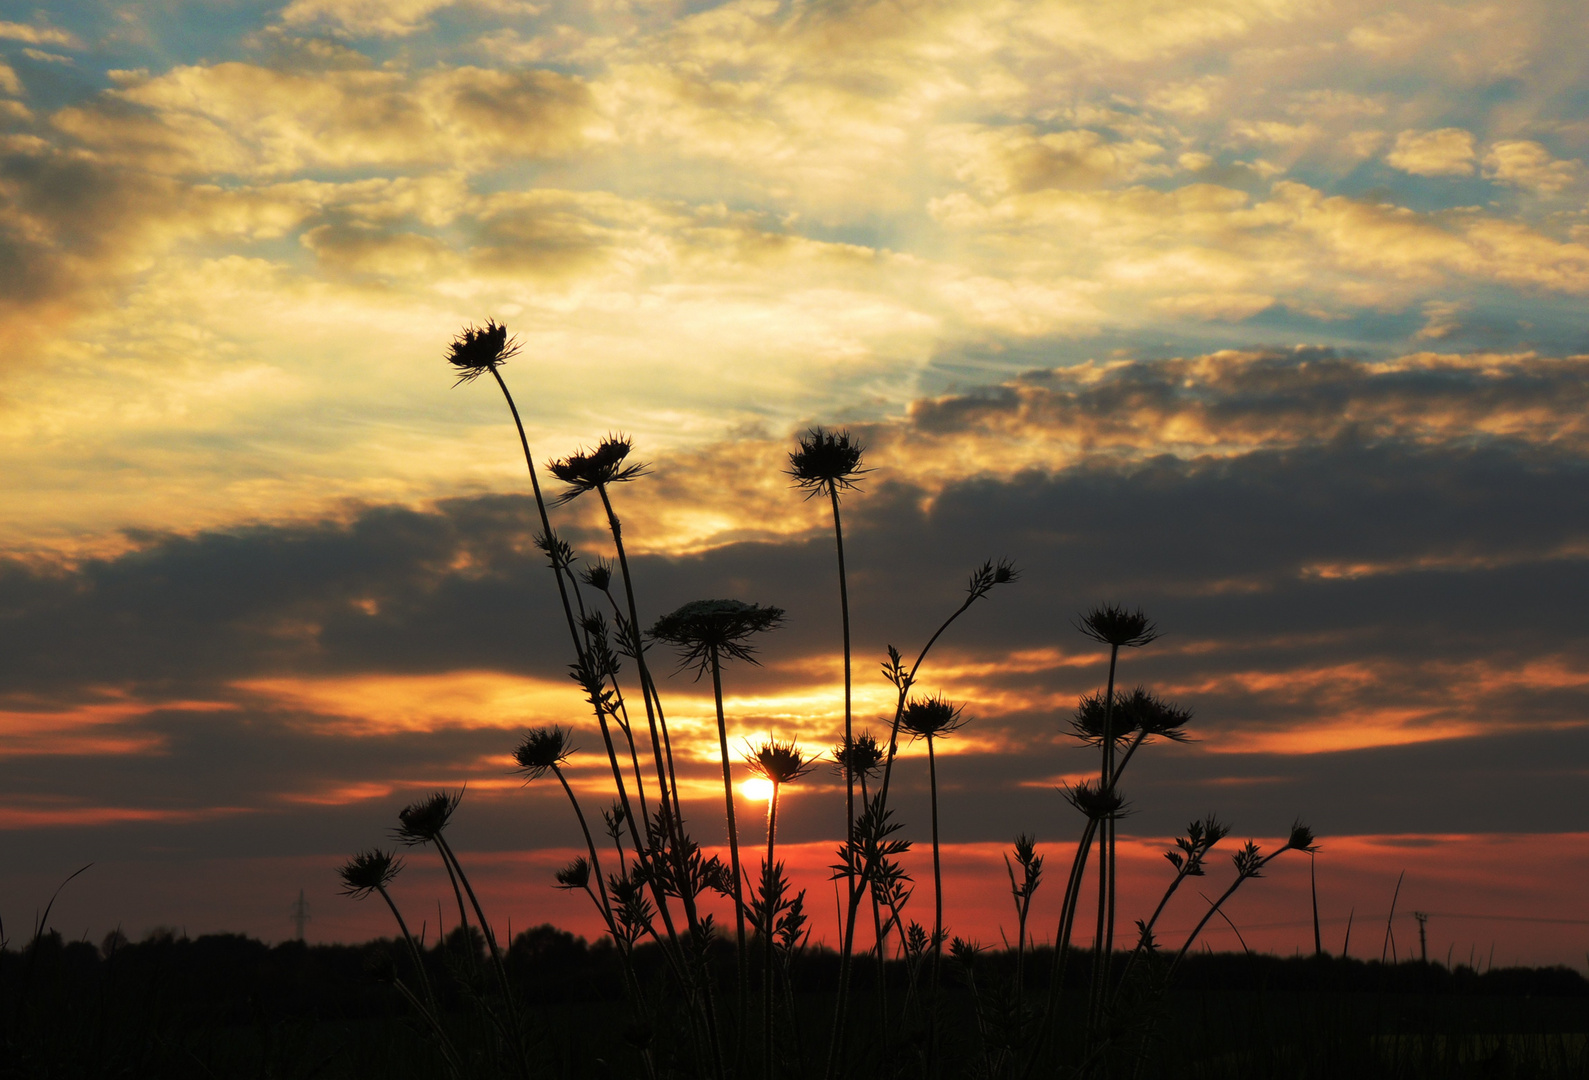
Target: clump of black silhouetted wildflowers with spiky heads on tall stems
column 651, row 893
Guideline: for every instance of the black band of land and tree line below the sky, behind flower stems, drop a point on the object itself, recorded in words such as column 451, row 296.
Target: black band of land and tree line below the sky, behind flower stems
column 230, row 1006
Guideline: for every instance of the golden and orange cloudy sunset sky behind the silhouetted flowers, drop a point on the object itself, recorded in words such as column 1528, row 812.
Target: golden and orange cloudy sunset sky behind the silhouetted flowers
column 1262, row 315
